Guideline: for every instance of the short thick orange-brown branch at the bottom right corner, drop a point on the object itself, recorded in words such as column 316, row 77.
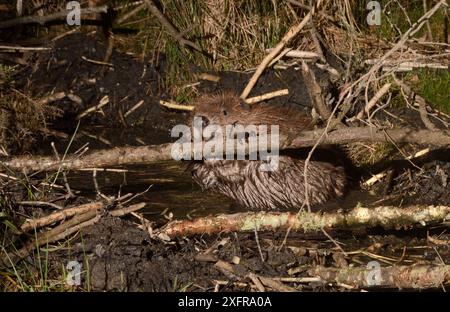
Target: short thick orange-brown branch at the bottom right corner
column 416, row 277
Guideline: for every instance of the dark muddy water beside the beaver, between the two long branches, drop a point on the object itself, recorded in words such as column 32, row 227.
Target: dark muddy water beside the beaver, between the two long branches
column 170, row 189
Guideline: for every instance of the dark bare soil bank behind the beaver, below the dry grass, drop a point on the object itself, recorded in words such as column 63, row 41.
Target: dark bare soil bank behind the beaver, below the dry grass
column 128, row 81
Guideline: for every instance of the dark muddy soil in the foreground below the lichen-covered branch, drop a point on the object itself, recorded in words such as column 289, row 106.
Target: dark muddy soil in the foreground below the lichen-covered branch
column 122, row 257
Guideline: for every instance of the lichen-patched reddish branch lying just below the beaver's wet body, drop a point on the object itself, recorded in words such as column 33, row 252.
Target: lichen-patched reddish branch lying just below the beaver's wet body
column 387, row 217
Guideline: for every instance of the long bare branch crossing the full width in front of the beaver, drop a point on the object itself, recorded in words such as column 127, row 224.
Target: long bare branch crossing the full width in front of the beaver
column 152, row 153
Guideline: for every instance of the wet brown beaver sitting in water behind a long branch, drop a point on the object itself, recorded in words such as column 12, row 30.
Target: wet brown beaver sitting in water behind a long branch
column 243, row 181
